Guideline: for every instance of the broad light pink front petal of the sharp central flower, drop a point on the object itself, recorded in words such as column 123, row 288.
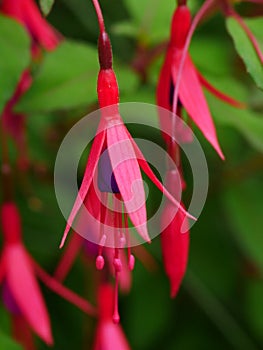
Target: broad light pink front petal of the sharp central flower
column 128, row 176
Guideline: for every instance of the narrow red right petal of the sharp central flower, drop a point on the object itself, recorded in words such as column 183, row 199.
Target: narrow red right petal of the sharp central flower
column 148, row 171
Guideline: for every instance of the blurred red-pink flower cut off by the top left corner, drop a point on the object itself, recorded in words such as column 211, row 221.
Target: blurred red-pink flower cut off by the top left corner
column 28, row 14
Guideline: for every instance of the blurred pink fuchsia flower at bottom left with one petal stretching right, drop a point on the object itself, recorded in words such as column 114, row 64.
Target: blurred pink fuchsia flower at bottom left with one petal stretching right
column 18, row 272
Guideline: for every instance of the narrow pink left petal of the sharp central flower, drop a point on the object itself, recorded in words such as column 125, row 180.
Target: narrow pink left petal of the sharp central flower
column 87, row 179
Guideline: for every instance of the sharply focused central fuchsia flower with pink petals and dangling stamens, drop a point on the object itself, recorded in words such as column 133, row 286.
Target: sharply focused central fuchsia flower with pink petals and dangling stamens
column 113, row 169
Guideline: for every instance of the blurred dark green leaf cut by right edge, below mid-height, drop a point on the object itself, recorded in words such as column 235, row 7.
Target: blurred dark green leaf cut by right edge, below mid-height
column 243, row 207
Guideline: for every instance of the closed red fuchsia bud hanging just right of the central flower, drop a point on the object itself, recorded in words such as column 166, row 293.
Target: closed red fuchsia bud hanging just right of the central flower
column 175, row 244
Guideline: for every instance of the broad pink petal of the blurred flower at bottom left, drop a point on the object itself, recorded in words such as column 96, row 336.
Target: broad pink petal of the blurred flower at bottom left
column 26, row 292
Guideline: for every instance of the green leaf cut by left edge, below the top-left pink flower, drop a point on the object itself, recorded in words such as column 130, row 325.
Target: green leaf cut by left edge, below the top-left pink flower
column 14, row 58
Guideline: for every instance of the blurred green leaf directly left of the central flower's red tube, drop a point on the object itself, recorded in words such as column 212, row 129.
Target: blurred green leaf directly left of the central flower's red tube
column 66, row 79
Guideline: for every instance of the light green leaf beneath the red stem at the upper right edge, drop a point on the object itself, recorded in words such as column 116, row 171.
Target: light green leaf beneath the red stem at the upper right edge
column 246, row 50
